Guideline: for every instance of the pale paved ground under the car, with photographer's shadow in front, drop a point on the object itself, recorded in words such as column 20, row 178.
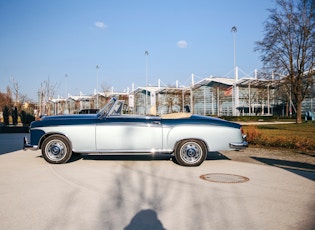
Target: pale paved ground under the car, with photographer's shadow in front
column 144, row 192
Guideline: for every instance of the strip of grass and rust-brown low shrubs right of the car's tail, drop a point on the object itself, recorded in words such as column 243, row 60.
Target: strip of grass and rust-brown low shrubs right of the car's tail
column 293, row 136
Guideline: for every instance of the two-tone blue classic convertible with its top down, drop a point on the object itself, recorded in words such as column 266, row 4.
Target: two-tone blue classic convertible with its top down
column 188, row 137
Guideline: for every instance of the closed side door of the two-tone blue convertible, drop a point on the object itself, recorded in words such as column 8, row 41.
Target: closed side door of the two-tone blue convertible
column 129, row 134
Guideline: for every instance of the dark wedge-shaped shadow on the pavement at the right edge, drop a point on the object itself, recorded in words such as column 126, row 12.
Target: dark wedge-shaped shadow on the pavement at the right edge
column 302, row 169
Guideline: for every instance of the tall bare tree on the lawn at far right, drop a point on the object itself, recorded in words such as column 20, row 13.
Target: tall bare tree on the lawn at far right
column 288, row 48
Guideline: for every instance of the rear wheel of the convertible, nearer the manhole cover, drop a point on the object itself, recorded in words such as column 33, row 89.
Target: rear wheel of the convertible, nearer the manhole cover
column 190, row 153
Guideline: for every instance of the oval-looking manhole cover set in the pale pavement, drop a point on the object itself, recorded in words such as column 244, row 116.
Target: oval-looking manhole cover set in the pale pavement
column 224, row 178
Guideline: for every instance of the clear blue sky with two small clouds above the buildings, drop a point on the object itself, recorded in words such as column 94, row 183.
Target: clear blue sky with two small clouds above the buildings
column 51, row 39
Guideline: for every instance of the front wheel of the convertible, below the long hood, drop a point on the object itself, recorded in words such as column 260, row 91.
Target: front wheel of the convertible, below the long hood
column 56, row 149
